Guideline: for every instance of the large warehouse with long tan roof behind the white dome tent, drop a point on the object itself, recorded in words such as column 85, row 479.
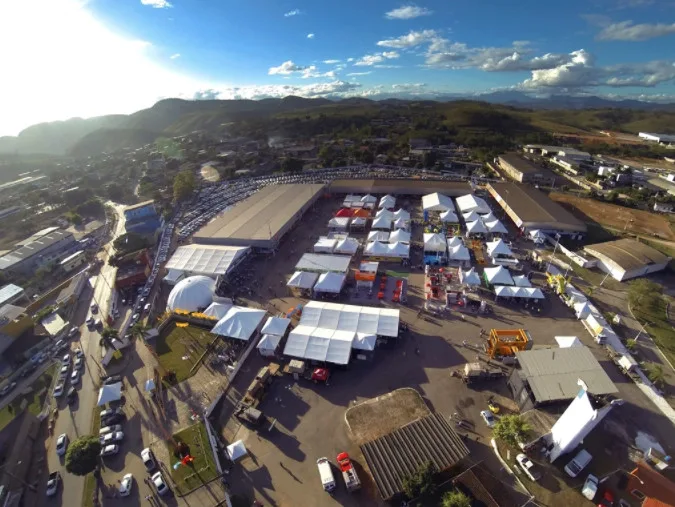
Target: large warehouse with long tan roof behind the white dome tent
column 261, row 220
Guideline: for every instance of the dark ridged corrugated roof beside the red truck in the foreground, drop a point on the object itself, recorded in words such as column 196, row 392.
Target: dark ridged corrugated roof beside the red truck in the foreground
column 401, row 453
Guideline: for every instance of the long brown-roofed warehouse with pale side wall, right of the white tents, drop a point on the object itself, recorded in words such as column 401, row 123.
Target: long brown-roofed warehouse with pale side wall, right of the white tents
column 532, row 210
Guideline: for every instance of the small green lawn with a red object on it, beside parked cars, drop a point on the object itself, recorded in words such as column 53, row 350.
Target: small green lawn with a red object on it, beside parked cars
column 203, row 468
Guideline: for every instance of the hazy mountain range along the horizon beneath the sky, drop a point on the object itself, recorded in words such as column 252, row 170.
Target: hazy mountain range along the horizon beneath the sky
column 170, row 117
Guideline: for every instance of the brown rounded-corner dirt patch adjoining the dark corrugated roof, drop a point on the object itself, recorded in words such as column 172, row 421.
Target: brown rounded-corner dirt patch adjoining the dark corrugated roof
column 380, row 416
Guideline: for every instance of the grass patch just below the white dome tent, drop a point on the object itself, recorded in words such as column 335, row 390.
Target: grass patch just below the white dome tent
column 178, row 349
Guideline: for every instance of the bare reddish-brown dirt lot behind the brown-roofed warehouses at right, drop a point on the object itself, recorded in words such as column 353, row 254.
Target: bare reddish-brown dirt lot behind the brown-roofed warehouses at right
column 616, row 217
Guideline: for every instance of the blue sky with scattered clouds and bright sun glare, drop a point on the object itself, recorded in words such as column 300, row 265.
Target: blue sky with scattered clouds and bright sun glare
column 83, row 58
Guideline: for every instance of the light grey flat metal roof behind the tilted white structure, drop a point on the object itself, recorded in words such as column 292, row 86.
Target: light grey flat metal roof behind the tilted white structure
column 552, row 374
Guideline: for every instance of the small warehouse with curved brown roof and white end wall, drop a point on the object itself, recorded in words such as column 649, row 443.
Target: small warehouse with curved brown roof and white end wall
column 627, row 258
